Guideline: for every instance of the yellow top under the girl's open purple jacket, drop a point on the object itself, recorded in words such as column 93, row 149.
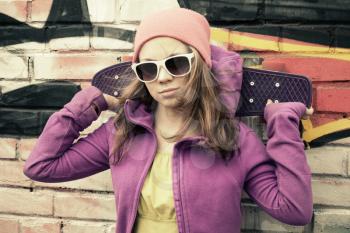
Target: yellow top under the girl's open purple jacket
column 156, row 212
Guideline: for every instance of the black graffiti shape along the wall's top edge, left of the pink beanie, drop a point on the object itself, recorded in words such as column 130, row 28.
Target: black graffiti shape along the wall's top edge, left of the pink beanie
column 67, row 18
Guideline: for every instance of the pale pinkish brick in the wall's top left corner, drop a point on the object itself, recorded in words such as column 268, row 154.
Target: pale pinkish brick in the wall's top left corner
column 14, row 9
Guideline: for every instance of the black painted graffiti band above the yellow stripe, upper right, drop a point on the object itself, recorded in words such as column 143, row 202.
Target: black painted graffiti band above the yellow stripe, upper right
column 310, row 21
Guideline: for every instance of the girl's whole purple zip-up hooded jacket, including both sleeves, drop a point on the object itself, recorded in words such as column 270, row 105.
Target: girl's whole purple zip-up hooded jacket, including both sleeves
column 207, row 192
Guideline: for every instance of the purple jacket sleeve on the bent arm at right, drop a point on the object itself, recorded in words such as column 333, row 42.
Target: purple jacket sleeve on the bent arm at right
column 278, row 177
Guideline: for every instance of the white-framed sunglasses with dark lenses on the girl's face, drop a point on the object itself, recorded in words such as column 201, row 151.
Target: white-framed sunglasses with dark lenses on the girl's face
column 178, row 65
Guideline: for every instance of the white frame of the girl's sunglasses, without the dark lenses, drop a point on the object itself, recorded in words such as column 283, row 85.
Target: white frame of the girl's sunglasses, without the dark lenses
column 158, row 63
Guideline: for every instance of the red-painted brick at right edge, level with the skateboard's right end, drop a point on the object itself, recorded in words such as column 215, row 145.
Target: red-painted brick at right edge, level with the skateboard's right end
column 333, row 97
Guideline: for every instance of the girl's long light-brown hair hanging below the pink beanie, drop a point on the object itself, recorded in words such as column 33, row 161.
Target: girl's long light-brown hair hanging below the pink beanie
column 201, row 104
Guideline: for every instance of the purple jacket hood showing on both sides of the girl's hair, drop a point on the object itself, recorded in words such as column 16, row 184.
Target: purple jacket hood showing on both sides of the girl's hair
column 227, row 69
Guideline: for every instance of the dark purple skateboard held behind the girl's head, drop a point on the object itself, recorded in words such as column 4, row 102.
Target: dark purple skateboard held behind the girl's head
column 257, row 86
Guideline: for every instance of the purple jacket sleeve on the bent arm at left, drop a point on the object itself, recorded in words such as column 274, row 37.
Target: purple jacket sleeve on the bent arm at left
column 55, row 158
